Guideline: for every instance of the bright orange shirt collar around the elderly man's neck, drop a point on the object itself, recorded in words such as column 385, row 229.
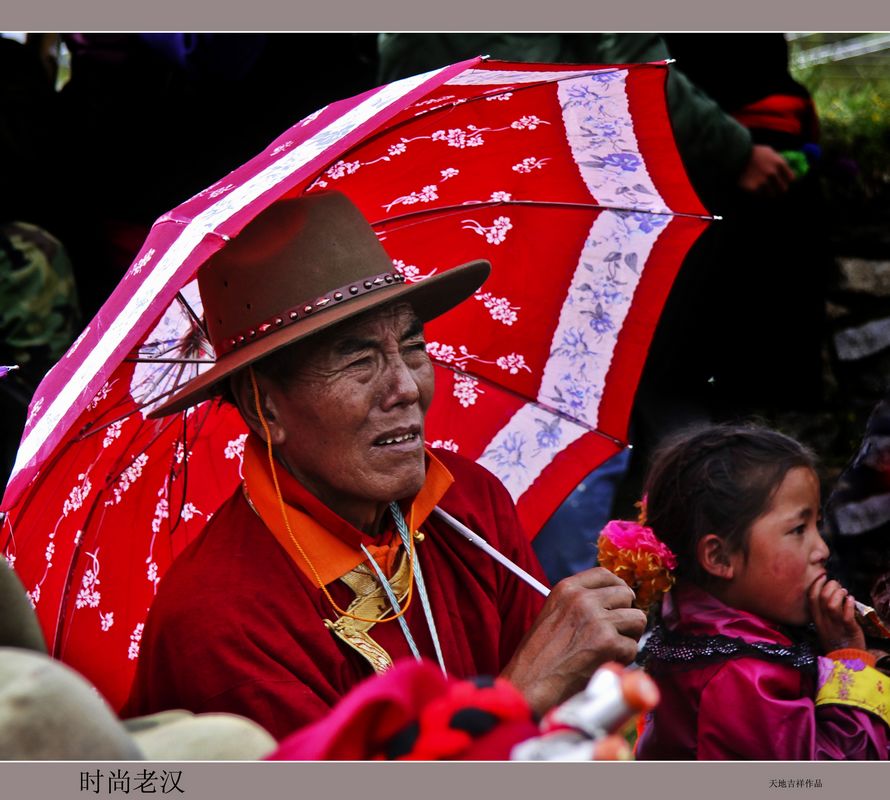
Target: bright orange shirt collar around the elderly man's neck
column 330, row 542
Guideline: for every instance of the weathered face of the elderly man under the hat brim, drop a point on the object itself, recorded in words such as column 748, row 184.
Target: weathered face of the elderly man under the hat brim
column 352, row 414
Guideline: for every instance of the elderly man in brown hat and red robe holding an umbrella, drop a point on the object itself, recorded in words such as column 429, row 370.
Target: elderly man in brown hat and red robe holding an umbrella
column 326, row 564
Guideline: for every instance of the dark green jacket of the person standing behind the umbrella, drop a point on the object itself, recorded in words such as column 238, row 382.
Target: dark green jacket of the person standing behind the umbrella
column 714, row 147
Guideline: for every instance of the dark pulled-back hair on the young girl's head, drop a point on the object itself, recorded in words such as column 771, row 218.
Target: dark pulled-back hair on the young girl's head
column 717, row 479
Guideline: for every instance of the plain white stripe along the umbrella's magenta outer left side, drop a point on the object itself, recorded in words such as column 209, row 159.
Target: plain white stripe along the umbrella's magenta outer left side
column 127, row 327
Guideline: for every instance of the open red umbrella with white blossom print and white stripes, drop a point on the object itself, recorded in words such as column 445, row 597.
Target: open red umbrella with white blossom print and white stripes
column 565, row 177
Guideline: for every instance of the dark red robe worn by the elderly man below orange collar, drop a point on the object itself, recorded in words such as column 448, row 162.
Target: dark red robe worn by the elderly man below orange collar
column 237, row 627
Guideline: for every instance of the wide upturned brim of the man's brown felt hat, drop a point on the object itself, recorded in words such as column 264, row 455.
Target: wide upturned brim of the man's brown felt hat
column 430, row 298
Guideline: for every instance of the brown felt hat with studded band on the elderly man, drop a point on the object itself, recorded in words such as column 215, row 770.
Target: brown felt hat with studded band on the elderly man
column 300, row 266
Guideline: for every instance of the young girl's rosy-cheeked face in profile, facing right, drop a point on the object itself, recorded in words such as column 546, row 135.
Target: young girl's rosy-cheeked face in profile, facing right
column 785, row 554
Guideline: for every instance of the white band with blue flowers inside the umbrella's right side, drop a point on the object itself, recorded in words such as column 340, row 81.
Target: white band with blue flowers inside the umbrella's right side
column 574, row 376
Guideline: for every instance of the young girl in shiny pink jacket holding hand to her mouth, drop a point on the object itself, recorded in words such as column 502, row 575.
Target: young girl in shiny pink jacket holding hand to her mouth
column 741, row 674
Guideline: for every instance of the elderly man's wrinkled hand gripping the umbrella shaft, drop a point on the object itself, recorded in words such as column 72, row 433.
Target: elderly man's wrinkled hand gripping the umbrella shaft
column 586, row 621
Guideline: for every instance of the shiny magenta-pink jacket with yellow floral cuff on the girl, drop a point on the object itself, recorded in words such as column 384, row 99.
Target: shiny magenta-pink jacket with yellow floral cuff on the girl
column 745, row 707
